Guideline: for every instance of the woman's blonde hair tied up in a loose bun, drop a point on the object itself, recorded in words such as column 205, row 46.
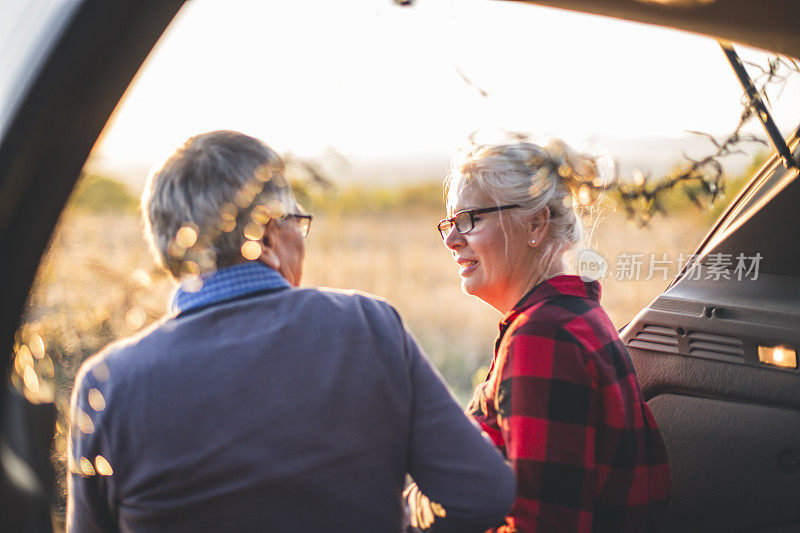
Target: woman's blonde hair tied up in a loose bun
column 551, row 176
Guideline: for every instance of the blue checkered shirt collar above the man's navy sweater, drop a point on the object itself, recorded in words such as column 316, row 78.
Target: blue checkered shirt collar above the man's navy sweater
column 228, row 284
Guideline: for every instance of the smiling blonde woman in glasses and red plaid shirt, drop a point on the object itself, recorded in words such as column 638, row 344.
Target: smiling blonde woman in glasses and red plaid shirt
column 561, row 400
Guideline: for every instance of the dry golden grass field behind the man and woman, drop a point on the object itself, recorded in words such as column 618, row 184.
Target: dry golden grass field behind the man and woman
column 98, row 283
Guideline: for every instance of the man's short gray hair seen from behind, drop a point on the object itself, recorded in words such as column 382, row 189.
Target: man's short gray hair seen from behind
column 212, row 195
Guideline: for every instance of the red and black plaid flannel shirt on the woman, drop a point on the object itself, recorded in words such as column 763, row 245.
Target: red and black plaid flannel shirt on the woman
column 562, row 403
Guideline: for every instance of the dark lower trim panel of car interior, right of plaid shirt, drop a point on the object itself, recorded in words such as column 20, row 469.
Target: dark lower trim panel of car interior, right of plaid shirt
column 724, row 478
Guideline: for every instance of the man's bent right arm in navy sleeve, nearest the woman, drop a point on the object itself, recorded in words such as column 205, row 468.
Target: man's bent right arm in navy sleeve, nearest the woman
column 452, row 463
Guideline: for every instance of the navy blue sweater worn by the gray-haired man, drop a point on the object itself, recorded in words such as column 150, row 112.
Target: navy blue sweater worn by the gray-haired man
column 296, row 410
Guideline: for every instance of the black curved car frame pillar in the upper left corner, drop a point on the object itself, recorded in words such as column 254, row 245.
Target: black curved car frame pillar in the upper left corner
column 55, row 126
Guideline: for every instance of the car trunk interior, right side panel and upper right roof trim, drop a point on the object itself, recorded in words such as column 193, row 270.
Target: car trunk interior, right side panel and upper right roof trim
column 709, row 351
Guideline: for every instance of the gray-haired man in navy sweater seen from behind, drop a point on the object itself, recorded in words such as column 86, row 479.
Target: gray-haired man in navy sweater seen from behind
column 256, row 405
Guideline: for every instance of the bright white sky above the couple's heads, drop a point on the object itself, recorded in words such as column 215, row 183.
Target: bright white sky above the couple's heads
column 370, row 78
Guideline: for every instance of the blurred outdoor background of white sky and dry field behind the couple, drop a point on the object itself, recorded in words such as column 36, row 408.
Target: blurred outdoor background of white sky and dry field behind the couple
column 367, row 101
